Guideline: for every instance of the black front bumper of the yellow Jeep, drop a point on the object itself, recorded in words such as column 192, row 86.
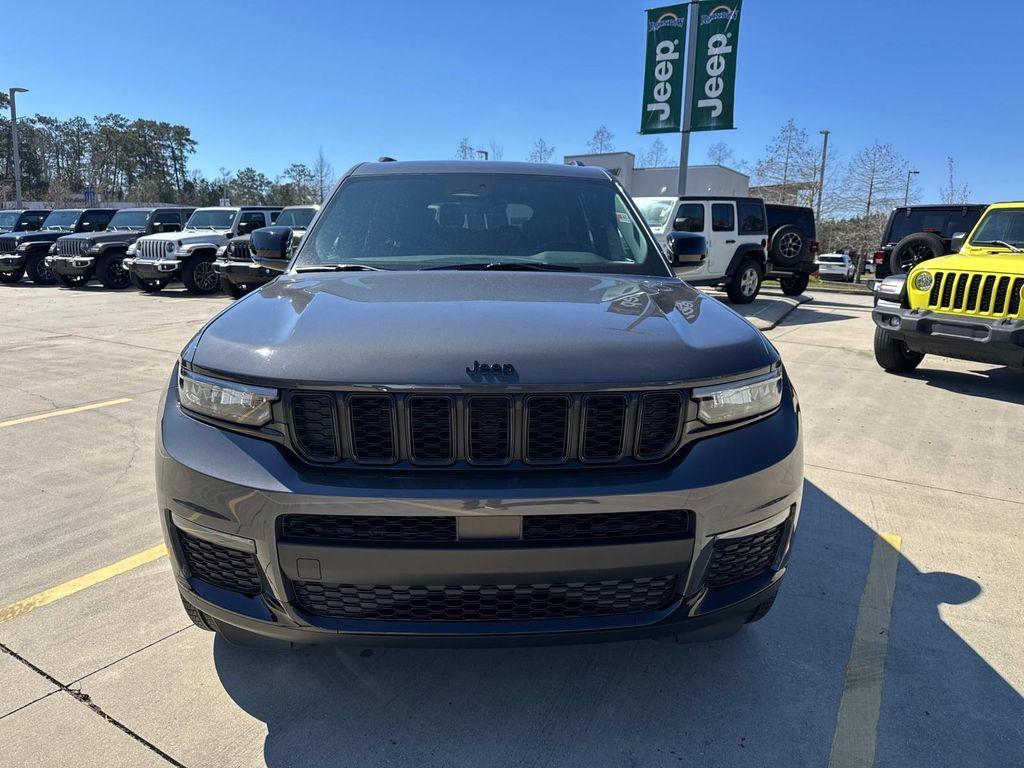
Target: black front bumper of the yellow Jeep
column 978, row 339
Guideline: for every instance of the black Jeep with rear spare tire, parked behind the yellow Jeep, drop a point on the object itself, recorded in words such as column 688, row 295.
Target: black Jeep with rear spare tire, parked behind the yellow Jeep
column 918, row 233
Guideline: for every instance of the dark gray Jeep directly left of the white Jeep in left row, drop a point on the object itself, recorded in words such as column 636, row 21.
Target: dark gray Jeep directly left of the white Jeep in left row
column 80, row 259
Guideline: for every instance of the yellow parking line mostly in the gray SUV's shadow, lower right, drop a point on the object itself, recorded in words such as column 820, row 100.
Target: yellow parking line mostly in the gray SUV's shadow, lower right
column 858, row 724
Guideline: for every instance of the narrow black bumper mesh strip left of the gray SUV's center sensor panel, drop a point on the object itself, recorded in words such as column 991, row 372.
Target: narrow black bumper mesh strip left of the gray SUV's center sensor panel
column 368, row 529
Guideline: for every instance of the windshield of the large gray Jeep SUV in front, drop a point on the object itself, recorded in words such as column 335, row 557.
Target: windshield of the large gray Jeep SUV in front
column 477, row 221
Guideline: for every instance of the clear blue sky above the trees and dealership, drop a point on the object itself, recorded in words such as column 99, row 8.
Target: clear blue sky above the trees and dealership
column 267, row 83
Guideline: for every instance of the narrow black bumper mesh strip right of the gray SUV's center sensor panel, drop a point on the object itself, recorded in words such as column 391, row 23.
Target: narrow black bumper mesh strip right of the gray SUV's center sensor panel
column 599, row 528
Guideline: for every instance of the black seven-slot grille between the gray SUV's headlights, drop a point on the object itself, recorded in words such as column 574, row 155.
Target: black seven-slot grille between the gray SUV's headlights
column 484, row 430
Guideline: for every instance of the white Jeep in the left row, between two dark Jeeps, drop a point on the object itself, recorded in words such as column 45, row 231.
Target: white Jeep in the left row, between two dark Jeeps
column 157, row 260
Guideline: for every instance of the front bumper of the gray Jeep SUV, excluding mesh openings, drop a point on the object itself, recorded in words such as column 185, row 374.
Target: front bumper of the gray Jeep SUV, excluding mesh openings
column 232, row 491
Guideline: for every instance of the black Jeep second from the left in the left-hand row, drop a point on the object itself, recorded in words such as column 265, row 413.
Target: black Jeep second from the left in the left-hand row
column 26, row 252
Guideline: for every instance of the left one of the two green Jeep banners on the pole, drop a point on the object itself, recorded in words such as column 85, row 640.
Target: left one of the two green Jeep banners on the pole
column 663, row 80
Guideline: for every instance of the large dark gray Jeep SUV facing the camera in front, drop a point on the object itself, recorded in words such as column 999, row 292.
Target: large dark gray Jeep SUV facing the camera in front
column 478, row 408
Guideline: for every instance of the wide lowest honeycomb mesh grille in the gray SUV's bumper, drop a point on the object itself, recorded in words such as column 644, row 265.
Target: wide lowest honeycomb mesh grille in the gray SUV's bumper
column 487, row 603
